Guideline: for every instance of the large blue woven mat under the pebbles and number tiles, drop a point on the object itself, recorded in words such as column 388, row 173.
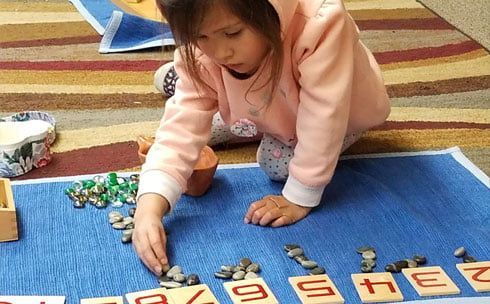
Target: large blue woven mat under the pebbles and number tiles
column 401, row 205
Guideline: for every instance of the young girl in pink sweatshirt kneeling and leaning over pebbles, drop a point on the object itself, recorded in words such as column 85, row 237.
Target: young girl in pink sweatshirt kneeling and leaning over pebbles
column 293, row 70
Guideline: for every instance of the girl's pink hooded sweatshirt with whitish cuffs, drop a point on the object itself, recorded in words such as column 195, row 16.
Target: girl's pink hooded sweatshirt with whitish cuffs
column 330, row 86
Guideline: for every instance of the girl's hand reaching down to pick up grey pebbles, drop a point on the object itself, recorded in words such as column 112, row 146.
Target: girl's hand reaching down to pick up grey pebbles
column 149, row 239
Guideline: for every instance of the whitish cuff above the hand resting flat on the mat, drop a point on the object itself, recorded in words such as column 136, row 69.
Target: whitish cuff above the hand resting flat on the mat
column 295, row 192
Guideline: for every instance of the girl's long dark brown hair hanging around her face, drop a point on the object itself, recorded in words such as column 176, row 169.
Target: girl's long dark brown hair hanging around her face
column 185, row 18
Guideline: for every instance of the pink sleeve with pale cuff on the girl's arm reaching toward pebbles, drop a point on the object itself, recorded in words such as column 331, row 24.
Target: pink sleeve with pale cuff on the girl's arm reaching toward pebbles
column 184, row 130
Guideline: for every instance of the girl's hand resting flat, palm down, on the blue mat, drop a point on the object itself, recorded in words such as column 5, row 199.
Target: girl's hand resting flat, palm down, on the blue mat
column 275, row 211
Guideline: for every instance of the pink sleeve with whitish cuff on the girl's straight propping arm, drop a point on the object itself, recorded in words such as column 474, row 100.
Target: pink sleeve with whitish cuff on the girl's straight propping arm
column 325, row 66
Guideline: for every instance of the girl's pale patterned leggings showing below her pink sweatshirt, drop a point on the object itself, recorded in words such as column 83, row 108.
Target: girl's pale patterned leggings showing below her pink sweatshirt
column 272, row 155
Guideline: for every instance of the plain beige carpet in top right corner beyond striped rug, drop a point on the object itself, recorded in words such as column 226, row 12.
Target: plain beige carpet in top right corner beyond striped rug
column 470, row 17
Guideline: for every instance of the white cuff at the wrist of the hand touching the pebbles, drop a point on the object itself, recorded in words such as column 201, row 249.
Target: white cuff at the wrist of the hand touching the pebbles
column 156, row 181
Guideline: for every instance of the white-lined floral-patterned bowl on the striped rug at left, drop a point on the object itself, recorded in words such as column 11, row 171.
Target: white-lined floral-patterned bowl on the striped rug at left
column 25, row 141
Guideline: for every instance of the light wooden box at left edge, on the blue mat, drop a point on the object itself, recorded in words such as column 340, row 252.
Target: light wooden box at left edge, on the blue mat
column 8, row 217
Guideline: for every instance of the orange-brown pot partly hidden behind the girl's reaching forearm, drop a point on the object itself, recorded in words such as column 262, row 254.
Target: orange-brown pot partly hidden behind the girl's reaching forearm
column 204, row 170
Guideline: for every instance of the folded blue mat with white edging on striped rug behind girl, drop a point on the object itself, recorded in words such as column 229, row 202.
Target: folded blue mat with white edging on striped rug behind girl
column 122, row 32
